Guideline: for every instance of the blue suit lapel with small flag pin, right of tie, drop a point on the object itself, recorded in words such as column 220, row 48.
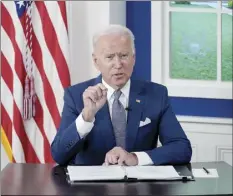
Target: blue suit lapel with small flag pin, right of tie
column 136, row 102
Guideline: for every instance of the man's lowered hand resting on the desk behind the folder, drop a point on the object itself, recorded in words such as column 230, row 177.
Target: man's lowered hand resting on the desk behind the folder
column 120, row 156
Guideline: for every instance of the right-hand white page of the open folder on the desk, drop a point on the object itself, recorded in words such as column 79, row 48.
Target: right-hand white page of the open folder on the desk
column 152, row 172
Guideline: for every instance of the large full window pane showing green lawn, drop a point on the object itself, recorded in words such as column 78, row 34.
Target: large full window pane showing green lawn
column 193, row 46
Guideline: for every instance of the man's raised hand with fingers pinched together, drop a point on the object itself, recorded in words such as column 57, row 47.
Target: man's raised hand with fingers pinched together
column 94, row 97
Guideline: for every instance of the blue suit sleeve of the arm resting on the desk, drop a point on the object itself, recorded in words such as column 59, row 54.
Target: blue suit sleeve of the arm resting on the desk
column 176, row 148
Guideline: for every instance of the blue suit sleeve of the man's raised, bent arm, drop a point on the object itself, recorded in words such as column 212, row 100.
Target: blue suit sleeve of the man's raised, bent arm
column 67, row 142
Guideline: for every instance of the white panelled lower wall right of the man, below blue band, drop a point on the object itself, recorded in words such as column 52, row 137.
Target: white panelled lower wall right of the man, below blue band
column 211, row 138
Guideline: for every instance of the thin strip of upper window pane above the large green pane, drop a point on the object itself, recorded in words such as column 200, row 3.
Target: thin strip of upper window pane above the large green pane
column 194, row 4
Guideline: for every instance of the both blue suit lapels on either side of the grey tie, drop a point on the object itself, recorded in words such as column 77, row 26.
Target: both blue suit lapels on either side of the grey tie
column 136, row 103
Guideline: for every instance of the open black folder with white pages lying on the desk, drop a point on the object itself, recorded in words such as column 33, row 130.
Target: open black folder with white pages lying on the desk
column 126, row 173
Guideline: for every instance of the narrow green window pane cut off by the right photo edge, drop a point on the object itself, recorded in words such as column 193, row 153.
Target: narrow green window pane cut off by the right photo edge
column 227, row 47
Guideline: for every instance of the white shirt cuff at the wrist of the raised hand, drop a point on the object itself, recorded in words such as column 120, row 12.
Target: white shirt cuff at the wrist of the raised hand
column 83, row 127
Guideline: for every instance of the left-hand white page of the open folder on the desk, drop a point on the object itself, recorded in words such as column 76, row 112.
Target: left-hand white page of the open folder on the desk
column 79, row 173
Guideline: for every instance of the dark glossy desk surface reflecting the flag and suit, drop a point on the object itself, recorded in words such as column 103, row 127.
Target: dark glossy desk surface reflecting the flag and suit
column 45, row 179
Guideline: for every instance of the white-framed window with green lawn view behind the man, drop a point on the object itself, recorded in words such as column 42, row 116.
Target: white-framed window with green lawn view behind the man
column 193, row 50
